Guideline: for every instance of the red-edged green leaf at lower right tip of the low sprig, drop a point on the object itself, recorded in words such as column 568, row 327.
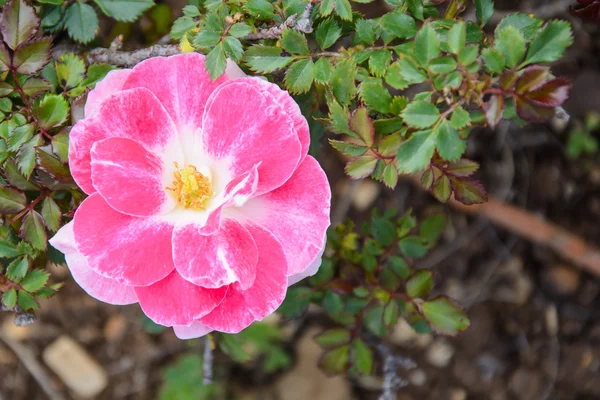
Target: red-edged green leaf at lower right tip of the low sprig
column 444, row 316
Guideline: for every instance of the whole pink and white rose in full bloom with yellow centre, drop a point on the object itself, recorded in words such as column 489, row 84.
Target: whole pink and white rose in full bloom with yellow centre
column 203, row 204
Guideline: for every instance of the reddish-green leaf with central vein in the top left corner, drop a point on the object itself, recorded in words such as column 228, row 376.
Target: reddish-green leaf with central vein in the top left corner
column 18, row 22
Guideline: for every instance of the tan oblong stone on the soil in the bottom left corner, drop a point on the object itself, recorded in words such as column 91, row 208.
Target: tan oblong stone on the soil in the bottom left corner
column 75, row 367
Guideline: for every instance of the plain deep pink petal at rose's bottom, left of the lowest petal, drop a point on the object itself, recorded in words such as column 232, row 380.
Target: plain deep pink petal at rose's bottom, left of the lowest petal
column 175, row 301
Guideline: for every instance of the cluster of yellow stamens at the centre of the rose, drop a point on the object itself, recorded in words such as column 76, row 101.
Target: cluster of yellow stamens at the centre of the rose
column 191, row 188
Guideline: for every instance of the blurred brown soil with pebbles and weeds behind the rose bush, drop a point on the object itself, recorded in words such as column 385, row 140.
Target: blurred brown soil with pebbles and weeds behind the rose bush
column 535, row 330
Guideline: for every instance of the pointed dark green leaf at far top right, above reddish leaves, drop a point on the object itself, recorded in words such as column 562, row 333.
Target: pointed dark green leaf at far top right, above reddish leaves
column 550, row 43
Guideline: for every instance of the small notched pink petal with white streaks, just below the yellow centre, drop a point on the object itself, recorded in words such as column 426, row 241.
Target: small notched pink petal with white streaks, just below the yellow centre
column 217, row 260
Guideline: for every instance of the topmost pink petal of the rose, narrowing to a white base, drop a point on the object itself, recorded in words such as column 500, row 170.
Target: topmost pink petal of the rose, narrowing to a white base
column 180, row 82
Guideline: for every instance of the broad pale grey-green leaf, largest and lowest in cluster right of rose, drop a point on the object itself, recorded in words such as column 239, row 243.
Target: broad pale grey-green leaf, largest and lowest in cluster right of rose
column 415, row 154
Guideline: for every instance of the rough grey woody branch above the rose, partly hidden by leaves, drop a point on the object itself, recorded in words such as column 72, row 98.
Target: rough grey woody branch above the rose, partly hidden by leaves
column 113, row 55
